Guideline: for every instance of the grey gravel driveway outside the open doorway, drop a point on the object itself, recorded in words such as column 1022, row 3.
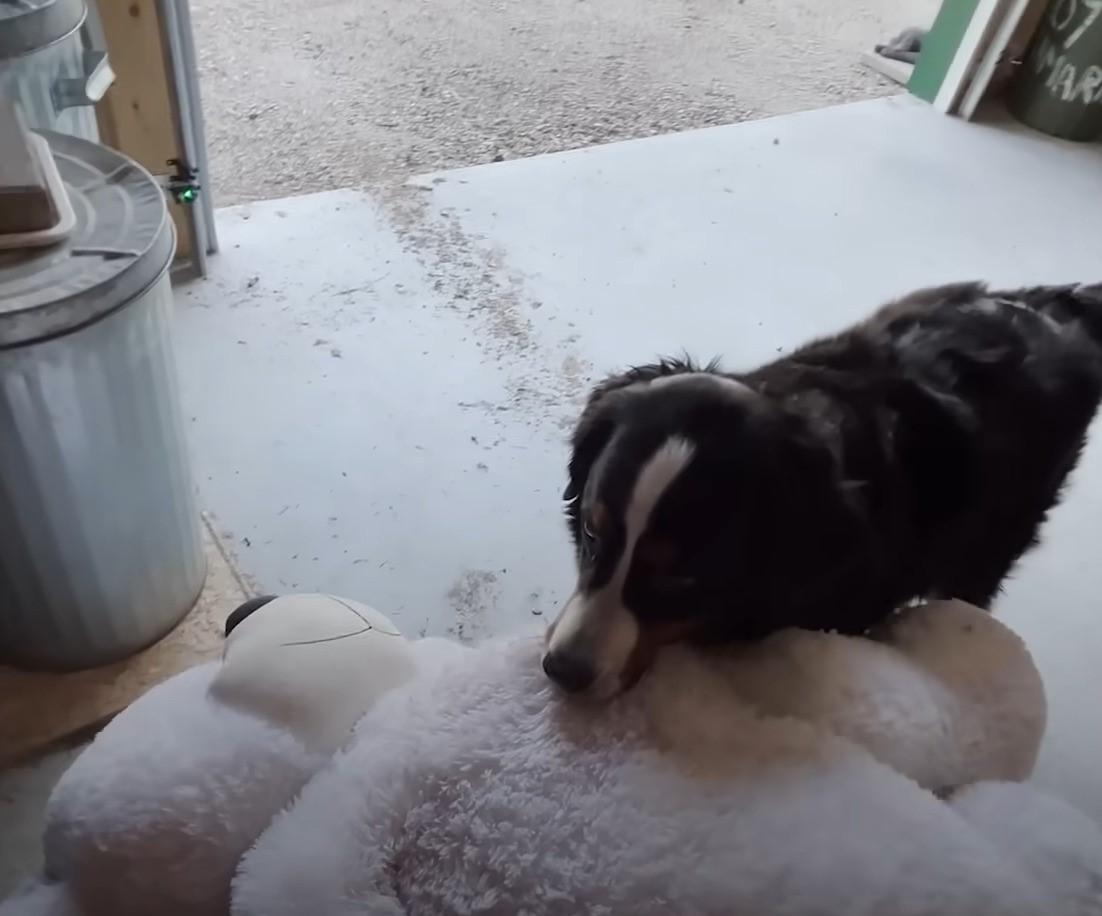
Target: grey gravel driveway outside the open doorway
column 348, row 93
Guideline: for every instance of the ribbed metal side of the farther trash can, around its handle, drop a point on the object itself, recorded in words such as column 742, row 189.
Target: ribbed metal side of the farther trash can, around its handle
column 30, row 81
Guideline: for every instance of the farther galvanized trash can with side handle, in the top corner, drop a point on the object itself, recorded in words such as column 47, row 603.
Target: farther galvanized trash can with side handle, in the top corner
column 49, row 68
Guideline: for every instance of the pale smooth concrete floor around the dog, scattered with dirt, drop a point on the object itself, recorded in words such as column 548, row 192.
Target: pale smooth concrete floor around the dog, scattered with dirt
column 381, row 390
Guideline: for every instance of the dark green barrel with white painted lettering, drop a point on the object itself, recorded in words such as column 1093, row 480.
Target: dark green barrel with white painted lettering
column 1058, row 88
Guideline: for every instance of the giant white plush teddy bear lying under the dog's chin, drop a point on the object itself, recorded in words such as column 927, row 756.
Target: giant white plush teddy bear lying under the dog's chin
column 330, row 768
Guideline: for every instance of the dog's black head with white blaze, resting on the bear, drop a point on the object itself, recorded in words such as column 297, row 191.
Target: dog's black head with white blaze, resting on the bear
column 700, row 511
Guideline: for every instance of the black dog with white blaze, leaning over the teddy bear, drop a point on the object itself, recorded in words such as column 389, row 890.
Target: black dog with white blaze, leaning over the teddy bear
column 912, row 457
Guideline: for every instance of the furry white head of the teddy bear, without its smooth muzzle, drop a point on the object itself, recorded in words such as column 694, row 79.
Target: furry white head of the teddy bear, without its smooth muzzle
column 156, row 815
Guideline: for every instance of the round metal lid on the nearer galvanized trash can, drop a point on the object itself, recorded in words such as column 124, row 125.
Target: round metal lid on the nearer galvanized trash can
column 122, row 243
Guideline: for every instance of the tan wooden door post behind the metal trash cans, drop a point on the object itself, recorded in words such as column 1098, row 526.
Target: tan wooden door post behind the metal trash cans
column 137, row 115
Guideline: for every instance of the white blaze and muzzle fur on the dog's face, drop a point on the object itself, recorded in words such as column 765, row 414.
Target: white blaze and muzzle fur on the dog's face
column 598, row 626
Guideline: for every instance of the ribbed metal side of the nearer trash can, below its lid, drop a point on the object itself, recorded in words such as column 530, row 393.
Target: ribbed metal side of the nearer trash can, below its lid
column 101, row 547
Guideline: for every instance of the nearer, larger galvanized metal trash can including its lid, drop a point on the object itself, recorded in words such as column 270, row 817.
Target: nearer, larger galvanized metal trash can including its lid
column 101, row 543
